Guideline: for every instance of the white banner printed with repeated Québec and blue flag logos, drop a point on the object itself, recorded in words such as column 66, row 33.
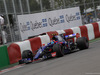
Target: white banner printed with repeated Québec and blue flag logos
column 34, row 24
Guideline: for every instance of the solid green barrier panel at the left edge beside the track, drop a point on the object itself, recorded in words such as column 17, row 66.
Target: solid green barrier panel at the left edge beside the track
column 4, row 59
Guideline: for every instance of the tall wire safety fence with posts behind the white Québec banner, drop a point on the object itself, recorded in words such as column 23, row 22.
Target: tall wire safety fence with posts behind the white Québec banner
column 90, row 10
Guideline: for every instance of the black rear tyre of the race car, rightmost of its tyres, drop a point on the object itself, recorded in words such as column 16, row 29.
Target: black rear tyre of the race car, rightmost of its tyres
column 82, row 43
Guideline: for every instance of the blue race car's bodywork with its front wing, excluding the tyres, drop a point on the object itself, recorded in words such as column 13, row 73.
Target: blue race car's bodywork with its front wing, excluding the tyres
column 47, row 51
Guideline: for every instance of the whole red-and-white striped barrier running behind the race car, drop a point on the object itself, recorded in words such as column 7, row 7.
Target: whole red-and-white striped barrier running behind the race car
column 91, row 31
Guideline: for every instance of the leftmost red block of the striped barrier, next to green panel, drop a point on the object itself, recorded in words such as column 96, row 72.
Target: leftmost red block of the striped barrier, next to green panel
column 14, row 53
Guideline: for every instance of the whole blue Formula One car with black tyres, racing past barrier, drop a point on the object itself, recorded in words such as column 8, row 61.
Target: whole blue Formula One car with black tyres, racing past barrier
column 59, row 46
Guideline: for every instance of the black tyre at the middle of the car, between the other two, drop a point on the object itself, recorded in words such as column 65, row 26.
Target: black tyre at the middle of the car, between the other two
column 58, row 49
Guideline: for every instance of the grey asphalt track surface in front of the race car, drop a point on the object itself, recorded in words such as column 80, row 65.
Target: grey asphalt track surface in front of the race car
column 85, row 62
